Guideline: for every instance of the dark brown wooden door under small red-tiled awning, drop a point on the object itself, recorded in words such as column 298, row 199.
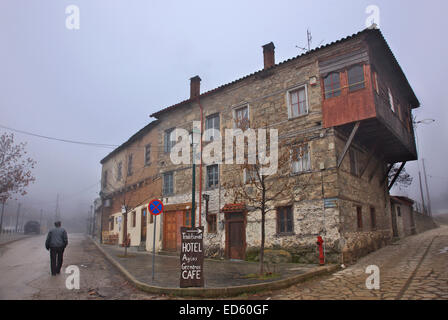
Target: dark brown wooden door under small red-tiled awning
column 235, row 236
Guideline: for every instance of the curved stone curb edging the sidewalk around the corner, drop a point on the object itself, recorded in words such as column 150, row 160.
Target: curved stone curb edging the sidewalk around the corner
column 221, row 291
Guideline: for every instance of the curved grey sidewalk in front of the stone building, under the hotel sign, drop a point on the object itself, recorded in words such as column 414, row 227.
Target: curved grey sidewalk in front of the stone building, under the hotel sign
column 222, row 277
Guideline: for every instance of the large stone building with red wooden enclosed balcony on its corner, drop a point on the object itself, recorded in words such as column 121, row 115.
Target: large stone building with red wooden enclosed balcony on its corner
column 344, row 112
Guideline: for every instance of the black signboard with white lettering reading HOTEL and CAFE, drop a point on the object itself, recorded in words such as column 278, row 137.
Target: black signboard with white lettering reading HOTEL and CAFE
column 192, row 257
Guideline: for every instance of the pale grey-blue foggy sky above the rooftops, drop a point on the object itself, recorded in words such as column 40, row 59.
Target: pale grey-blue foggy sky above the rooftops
column 132, row 58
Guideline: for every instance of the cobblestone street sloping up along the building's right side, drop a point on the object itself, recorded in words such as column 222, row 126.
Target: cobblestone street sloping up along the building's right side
column 414, row 268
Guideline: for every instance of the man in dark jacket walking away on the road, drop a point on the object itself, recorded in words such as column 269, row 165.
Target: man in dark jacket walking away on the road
column 56, row 243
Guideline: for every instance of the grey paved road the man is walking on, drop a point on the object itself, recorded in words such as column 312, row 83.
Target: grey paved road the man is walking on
column 25, row 272
